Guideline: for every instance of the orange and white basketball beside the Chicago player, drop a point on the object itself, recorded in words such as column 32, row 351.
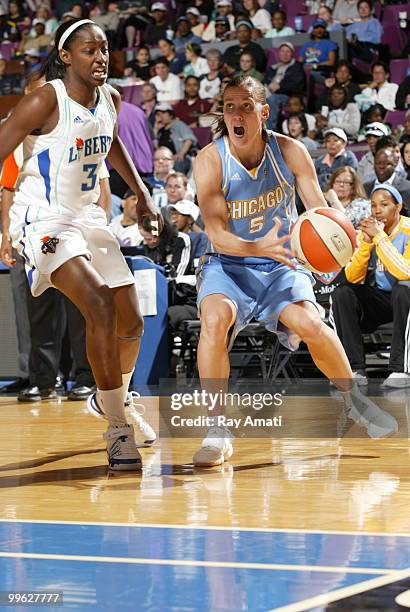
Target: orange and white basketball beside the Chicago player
column 323, row 240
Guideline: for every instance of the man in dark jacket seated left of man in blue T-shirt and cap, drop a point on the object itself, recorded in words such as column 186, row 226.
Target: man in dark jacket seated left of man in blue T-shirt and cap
column 283, row 79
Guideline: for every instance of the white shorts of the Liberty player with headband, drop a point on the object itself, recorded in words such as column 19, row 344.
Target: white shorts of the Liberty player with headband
column 47, row 242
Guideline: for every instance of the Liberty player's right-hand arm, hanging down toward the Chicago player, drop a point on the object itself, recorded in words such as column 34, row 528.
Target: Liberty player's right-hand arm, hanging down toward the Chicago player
column 121, row 161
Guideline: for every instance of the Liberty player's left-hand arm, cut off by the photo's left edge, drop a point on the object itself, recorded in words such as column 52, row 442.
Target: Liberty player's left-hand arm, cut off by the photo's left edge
column 34, row 112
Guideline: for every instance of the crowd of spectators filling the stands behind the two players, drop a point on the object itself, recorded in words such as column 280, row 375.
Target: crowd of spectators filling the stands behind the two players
column 349, row 105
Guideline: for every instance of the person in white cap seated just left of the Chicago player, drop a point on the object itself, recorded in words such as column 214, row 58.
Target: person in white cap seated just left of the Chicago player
column 184, row 215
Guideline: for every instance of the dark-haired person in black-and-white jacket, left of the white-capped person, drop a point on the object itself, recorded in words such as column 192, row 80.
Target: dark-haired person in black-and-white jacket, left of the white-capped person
column 171, row 249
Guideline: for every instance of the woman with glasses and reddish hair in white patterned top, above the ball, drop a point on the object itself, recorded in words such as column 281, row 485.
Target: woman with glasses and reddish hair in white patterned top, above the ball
column 346, row 193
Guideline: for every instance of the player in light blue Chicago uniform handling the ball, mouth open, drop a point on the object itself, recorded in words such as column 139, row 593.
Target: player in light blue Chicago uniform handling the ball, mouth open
column 246, row 183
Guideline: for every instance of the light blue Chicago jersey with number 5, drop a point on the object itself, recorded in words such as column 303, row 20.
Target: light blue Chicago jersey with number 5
column 255, row 197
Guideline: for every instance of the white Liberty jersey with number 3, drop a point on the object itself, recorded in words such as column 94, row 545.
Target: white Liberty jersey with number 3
column 60, row 171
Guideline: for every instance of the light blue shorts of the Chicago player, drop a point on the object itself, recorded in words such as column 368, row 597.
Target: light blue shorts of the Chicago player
column 258, row 291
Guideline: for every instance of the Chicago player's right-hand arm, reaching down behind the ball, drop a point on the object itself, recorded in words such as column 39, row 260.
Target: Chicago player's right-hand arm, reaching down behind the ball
column 301, row 165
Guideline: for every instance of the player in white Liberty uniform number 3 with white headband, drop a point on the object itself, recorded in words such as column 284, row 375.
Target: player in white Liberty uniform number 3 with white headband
column 67, row 128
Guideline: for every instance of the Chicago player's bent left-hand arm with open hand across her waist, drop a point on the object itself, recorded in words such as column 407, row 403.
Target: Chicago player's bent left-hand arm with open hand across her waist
column 211, row 200
